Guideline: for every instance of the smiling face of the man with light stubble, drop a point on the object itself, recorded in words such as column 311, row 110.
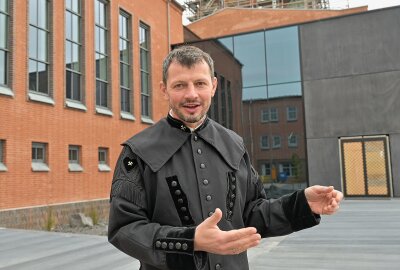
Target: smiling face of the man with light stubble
column 189, row 92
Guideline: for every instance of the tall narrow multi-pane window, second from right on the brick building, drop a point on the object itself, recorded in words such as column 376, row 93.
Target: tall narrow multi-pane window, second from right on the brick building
column 125, row 62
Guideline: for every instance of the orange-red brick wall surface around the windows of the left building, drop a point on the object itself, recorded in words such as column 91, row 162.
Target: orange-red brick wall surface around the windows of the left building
column 23, row 121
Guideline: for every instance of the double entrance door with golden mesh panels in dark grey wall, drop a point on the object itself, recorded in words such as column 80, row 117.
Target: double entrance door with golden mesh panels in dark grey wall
column 365, row 166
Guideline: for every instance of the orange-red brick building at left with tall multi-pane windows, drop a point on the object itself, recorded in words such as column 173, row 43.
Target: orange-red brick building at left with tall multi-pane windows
column 77, row 78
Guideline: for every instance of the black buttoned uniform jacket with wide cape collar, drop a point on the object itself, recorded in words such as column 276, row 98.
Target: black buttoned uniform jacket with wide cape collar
column 168, row 180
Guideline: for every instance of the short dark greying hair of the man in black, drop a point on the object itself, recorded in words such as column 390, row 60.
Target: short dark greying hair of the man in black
column 187, row 56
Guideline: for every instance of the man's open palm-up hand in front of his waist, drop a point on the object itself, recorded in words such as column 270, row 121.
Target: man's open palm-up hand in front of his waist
column 210, row 238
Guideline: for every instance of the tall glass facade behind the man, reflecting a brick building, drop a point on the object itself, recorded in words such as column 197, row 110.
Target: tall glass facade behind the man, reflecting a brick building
column 264, row 91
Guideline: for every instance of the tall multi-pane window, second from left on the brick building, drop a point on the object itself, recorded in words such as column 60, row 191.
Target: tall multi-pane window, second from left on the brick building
column 38, row 46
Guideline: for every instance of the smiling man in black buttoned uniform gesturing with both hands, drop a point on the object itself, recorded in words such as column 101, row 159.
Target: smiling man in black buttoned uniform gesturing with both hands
column 184, row 194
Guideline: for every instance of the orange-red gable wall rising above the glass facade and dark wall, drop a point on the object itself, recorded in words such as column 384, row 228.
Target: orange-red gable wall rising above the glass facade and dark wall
column 231, row 21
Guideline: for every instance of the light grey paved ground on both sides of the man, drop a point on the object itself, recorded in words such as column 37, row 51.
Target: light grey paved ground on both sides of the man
column 364, row 234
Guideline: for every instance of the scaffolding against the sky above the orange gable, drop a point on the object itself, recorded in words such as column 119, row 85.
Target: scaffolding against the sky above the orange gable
column 197, row 9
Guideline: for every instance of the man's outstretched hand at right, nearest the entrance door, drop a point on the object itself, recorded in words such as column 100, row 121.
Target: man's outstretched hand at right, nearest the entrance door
column 323, row 200
